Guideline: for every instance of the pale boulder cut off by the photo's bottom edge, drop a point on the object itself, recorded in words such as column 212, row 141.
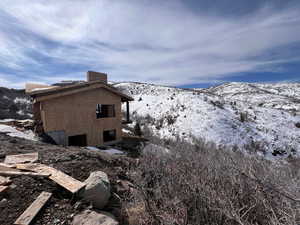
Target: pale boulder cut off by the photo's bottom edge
column 89, row 217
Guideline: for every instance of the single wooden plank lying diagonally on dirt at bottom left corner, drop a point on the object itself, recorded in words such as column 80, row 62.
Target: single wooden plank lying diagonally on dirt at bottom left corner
column 29, row 214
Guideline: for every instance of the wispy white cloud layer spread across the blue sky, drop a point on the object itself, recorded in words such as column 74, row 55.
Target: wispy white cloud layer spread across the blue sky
column 137, row 40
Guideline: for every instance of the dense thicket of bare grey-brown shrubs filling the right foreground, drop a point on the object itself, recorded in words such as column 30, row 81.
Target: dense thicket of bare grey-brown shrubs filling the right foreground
column 203, row 185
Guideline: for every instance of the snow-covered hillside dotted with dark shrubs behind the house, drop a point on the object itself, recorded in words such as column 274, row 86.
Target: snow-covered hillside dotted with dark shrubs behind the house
column 264, row 116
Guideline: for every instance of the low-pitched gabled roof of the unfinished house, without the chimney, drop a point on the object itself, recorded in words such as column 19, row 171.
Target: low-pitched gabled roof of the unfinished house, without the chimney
column 56, row 91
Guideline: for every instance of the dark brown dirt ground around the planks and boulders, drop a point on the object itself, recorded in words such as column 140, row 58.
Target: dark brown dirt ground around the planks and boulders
column 74, row 161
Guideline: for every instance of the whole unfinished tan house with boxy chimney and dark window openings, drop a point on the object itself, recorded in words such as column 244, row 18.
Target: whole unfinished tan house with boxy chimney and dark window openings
column 81, row 114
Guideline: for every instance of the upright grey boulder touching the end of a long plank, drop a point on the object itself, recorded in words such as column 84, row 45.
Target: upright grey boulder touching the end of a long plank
column 97, row 190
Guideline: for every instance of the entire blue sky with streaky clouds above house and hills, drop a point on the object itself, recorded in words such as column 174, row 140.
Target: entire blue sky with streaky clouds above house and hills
column 186, row 43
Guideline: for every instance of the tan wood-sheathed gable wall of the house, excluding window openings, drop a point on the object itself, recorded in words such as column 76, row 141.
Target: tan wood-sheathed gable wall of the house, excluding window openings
column 76, row 114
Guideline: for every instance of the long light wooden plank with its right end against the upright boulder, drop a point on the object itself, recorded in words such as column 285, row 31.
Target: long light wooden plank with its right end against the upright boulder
column 57, row 176
